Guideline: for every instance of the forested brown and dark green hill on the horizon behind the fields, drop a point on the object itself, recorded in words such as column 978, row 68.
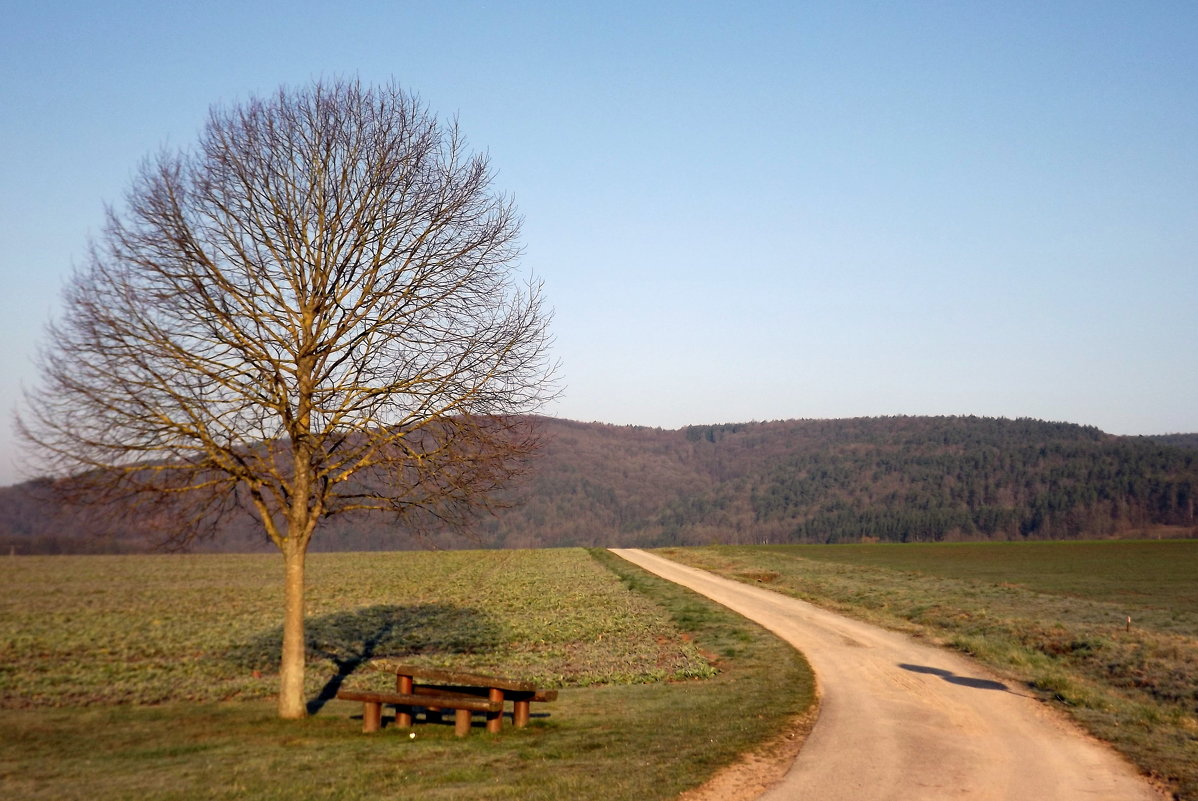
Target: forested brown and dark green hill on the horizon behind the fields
column 890, row 480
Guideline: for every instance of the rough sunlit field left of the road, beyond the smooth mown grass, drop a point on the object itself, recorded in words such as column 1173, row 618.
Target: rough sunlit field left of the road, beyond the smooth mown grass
column 153, row 629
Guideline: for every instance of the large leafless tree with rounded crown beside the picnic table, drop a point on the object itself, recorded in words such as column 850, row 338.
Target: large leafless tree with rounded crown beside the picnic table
column 314, row 312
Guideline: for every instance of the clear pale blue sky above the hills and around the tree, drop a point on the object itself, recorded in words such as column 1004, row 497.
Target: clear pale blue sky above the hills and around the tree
column 741, row 210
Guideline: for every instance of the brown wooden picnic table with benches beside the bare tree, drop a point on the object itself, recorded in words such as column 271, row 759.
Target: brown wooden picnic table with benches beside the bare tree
column 463, row 693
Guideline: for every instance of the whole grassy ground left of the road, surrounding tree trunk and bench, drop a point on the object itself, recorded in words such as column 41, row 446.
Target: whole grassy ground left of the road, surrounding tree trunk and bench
column 152, row 677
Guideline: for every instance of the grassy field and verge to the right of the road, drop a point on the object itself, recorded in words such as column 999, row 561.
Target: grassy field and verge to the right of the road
column 1050, row 615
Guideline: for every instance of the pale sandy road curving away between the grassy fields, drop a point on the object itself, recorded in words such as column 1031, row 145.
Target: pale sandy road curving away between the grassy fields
column 904, row 720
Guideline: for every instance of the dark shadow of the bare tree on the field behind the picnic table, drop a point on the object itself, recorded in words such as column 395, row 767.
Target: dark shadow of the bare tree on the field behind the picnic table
column 350, row 640
